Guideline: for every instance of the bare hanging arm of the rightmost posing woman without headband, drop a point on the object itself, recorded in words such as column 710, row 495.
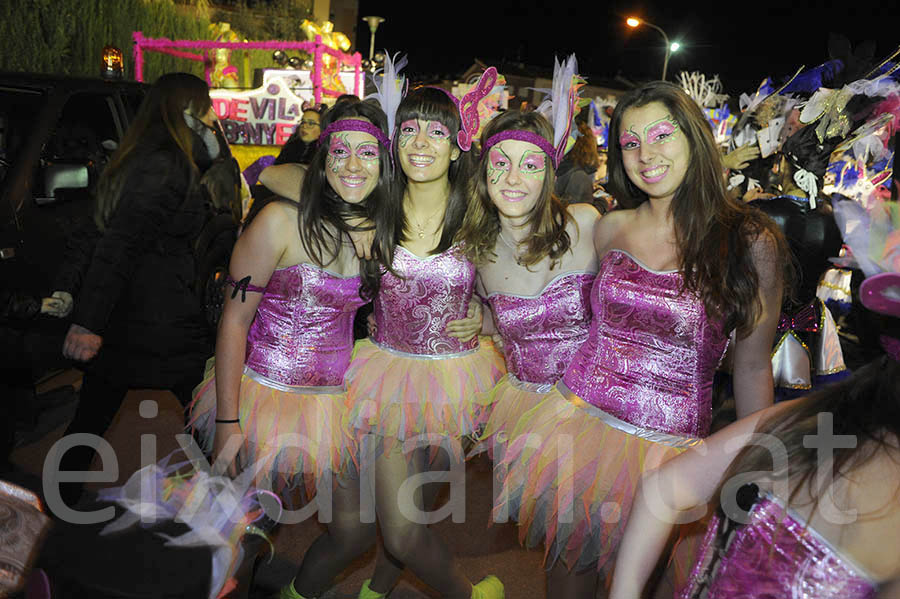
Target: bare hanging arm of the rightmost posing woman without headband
column 753, row 383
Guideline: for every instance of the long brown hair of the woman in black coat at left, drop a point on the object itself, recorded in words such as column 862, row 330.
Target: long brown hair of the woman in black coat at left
column 158, row 124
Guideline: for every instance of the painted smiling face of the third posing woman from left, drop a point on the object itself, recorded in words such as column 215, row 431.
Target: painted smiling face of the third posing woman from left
column 515, row 176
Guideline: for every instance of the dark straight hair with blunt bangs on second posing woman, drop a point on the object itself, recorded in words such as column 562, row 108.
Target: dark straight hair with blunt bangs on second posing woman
column 431, row 104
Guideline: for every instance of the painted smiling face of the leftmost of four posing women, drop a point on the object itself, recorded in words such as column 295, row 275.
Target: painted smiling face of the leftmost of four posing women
column 352, row 164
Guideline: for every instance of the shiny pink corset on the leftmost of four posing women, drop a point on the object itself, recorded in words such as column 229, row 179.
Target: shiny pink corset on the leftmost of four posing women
column 303, row 330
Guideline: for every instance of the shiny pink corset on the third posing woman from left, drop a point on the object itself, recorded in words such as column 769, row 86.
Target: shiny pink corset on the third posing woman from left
column 542, row 332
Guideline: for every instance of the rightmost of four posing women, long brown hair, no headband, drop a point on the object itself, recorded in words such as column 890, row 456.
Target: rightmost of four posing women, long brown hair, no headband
column 680, row 268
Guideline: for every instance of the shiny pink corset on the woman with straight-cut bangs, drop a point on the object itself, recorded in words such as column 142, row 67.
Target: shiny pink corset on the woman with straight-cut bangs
column 411, row 312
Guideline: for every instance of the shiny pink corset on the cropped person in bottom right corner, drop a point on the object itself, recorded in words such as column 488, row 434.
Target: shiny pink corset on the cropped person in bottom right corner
column 775, row 554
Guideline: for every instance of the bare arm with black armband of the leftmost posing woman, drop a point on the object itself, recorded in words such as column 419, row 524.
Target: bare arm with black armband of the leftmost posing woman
column 256, row 255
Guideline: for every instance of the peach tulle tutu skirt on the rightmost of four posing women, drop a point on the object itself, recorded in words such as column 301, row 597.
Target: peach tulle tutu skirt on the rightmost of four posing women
column 569, row 472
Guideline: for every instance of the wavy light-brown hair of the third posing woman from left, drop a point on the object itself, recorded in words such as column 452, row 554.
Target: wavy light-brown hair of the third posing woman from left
column 481, row 226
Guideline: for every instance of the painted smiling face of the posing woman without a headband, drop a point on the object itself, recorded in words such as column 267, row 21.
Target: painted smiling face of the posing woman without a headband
column 655, row 151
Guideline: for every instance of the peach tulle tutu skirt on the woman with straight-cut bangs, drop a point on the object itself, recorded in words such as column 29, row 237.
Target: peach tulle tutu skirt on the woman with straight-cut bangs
column 404, row 397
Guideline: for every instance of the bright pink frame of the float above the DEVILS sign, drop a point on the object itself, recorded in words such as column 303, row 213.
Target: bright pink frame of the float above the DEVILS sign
column 316, row 48
